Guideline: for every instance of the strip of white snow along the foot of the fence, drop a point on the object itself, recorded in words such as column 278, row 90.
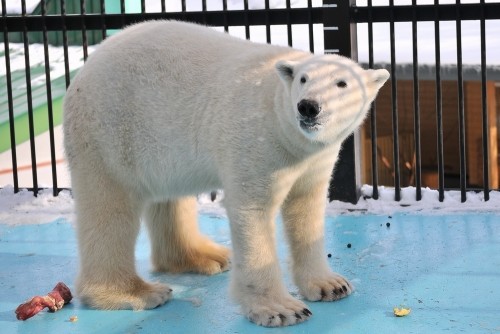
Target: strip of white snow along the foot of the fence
column 23, row 208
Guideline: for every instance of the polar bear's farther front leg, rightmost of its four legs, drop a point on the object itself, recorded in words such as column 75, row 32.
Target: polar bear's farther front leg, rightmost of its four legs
column 303, row 215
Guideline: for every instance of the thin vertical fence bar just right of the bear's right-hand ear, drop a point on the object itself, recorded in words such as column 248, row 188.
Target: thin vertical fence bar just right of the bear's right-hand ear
column 394, row 99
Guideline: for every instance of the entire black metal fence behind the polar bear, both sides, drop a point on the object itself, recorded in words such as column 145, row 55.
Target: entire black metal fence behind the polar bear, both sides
column 338, row 19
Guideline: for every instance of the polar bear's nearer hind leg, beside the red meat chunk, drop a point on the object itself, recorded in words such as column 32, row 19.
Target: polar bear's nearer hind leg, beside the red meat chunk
column 108, row 224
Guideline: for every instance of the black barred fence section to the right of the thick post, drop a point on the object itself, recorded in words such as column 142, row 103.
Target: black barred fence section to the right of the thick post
column 435, row 13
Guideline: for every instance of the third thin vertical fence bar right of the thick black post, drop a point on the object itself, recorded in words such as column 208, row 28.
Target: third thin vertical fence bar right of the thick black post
column 416, row 105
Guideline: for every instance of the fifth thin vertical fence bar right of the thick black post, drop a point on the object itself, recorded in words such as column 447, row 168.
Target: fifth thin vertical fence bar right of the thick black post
column 461, row 109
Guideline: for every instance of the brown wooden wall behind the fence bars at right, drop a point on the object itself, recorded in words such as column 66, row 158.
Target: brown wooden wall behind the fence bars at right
column 428, row 134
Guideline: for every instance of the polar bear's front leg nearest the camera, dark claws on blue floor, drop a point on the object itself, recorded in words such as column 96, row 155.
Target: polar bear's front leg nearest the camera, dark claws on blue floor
column 256, row 279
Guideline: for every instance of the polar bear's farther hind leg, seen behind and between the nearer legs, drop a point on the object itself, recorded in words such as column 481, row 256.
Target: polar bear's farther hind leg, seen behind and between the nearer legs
column 177, row 245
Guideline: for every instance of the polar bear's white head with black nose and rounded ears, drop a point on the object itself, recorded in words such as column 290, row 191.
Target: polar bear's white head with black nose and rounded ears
column 330, row 95
